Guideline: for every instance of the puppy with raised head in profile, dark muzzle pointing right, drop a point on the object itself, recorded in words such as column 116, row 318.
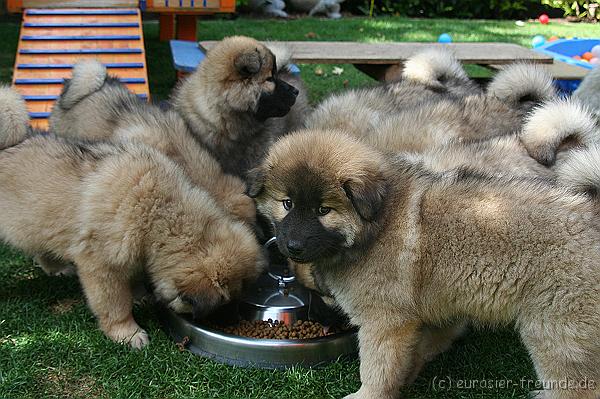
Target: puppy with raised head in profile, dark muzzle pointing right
column 239, row 101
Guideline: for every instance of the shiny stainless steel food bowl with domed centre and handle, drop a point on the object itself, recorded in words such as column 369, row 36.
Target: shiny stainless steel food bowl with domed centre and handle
column 277, row 296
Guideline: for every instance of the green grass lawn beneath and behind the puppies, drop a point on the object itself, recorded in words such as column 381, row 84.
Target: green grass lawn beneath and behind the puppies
column 50, row 346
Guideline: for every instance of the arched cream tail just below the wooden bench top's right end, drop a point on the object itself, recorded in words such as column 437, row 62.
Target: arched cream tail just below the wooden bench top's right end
column 522, row 84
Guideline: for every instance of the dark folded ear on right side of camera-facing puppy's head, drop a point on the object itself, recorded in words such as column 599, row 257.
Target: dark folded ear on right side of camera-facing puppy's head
column 367, row 195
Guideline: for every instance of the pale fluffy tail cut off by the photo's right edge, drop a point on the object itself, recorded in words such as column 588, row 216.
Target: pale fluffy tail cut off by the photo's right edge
column 581, row 170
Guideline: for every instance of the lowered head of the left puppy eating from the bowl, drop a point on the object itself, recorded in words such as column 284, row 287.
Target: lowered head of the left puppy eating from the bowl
column 198, row 276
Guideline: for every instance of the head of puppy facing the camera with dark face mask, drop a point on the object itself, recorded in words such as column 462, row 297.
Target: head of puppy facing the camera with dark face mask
column 323, row 192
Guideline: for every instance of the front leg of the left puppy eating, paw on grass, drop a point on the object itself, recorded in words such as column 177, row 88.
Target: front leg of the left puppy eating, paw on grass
column 109, row 296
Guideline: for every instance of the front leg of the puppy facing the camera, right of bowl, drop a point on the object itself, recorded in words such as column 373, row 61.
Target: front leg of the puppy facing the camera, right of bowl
column 386, row 359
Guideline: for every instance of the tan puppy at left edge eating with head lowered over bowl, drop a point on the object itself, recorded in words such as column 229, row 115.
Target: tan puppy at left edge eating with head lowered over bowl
column 117, row 211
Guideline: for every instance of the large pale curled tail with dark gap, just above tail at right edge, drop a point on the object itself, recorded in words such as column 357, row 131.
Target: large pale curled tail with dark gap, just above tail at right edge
column 549, row 126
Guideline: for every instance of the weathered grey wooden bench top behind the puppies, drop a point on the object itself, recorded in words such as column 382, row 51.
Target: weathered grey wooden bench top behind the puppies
column 309, row 52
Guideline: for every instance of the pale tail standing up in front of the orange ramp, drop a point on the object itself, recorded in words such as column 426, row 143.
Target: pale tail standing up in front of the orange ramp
column 88, row 77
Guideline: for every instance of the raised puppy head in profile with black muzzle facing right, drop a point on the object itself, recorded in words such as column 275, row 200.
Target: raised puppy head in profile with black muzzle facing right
column 246, row 74
